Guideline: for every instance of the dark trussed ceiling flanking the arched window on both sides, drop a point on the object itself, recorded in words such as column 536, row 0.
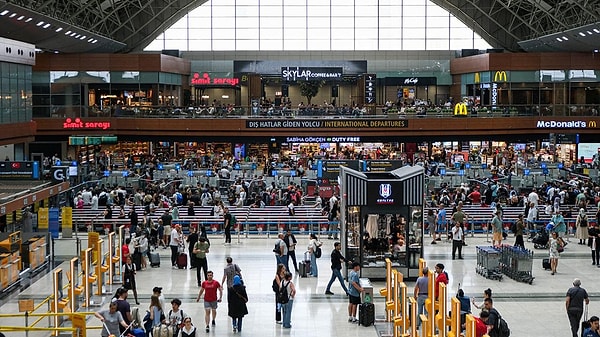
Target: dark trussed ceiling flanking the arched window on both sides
column 123, row 26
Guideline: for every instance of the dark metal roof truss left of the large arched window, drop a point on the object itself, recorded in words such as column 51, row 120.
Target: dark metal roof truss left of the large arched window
column 133, row 22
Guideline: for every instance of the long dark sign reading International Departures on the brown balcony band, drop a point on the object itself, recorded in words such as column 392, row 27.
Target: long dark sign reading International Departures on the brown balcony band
column 324, row 124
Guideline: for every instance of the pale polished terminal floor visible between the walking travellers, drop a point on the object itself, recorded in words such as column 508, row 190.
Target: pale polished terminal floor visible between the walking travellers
column 530, row 310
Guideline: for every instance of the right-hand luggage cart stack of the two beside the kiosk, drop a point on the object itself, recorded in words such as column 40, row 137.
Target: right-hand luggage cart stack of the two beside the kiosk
column 517, row 263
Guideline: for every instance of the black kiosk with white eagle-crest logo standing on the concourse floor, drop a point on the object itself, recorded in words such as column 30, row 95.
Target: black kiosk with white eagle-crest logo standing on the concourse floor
column 381, row 216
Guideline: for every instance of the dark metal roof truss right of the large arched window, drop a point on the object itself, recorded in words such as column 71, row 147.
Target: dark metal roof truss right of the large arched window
column 503, row 23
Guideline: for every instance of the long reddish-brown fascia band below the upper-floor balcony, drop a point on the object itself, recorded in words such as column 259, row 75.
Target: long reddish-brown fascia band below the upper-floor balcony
column 435, row 127
